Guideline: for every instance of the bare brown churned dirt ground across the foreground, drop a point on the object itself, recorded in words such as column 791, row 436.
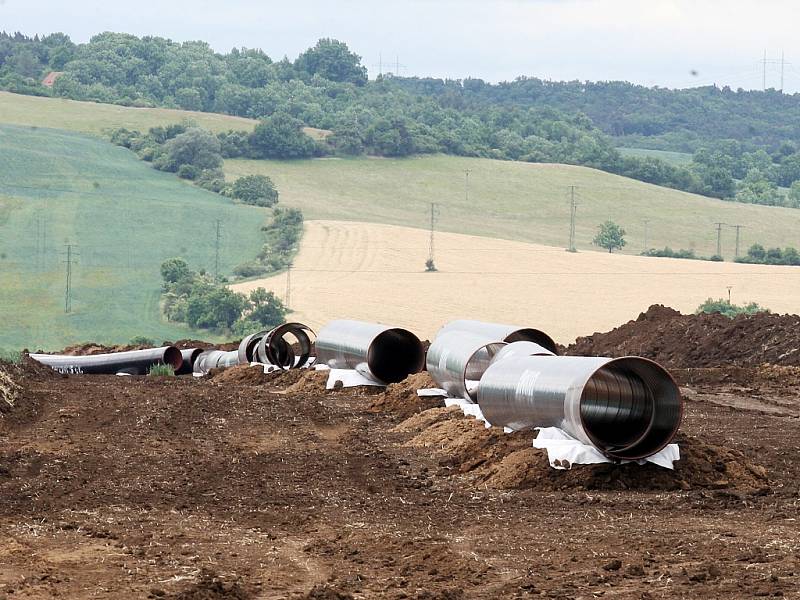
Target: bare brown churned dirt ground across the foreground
column 251, row 486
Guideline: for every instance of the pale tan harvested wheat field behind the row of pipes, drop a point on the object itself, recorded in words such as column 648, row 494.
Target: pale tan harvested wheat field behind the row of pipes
column 377, row 273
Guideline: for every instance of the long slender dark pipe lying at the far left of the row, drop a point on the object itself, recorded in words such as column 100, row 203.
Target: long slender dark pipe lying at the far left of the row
column 133, row 362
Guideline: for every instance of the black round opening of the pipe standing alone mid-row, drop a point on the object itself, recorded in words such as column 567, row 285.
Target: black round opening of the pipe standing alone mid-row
column 394, row 355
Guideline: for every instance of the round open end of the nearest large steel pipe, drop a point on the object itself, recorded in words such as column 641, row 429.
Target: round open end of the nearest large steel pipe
column 631, row 408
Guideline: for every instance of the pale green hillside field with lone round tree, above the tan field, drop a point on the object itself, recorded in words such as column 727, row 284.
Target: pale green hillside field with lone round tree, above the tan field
column 521, row 201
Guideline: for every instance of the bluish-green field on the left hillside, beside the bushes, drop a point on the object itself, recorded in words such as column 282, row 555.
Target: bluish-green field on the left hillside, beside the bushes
column 59, row 188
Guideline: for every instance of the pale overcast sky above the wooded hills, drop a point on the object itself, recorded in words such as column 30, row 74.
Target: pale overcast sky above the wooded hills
column 653, row 42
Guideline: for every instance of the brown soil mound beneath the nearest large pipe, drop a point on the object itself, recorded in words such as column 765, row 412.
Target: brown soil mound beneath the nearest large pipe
column 507, row 461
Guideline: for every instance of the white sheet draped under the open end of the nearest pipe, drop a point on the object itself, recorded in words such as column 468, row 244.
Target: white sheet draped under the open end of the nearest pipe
column 563, row 451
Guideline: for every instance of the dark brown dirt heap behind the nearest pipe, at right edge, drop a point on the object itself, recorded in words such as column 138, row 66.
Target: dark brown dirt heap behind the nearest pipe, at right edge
column 705, row 340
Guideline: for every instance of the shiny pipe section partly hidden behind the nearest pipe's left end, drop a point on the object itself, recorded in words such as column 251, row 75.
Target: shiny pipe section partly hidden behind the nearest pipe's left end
column 457, row 360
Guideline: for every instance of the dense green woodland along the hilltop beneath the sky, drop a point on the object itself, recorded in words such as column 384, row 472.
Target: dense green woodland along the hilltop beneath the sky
column 529, row 119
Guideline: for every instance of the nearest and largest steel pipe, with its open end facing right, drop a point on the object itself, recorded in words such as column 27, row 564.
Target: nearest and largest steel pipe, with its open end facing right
column 629, row 408
